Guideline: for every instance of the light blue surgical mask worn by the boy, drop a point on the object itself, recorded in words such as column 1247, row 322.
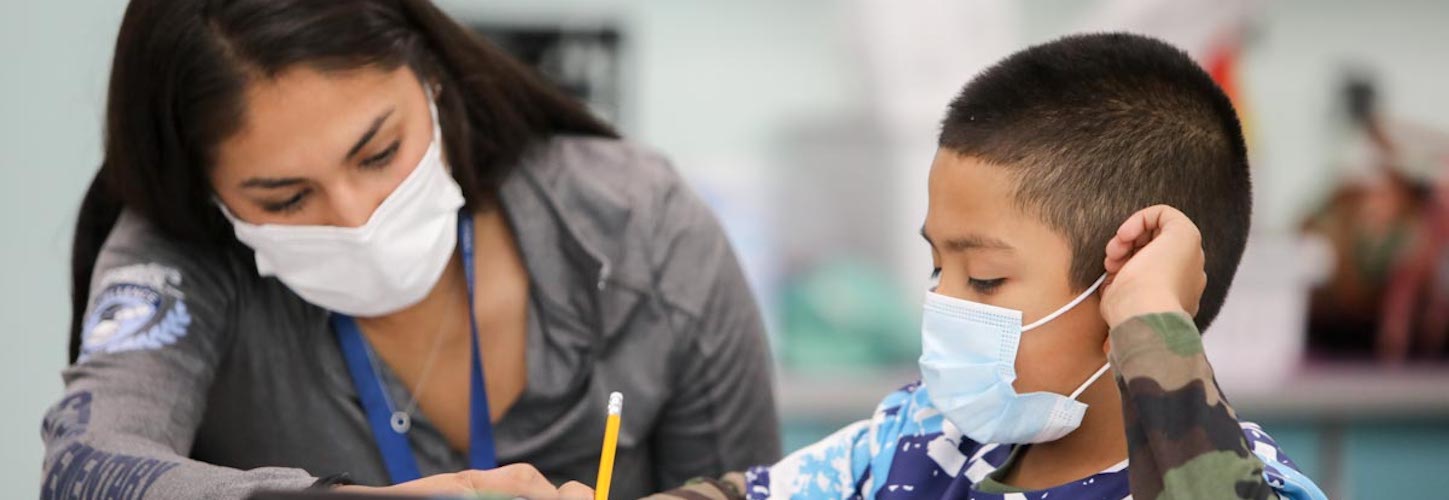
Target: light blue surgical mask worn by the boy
column 969, row 364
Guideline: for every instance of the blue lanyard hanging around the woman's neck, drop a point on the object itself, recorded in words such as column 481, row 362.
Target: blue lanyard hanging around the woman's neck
column 398, row 453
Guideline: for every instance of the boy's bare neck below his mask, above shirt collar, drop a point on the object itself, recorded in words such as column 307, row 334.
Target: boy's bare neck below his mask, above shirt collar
column 1096, row 446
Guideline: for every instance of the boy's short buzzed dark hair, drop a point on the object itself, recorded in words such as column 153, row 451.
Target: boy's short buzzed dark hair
column 1099, row 127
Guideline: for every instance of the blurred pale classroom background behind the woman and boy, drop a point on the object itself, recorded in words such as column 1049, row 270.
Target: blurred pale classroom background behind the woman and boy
column 809, row 127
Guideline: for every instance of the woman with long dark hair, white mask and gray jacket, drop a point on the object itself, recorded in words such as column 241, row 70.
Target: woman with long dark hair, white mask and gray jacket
column 350, row 243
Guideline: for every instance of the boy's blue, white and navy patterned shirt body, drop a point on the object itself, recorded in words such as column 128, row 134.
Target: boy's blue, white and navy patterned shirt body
column 908, row 450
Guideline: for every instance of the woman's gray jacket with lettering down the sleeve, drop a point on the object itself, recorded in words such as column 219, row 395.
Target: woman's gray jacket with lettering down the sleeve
column 202, row 380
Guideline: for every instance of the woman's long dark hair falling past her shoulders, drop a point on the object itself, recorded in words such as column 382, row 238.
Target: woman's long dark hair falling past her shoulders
column 179, row 78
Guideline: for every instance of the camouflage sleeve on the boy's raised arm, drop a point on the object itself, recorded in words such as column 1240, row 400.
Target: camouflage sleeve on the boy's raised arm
column 1185, row 441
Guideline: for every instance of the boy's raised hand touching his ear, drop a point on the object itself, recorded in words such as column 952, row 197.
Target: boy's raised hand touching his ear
column 1154, row 266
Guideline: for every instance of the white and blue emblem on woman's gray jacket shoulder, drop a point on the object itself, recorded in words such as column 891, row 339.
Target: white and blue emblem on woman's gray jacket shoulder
column 138, row 308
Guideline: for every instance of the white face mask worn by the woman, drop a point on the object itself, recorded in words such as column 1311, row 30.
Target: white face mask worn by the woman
column 382, row 267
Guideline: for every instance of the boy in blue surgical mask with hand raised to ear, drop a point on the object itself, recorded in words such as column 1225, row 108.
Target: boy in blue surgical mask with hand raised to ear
column 1089, row 207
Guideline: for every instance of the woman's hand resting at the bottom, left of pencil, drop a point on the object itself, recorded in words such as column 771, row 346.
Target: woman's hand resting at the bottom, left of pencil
column 517, row 480
